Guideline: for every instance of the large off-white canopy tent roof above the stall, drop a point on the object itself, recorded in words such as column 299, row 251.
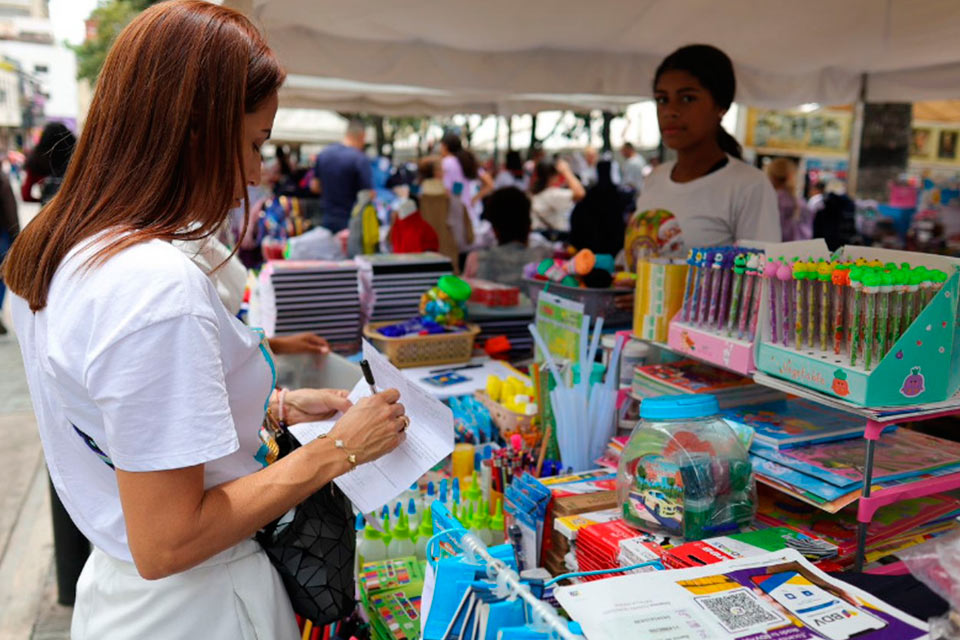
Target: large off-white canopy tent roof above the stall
column 487, row 56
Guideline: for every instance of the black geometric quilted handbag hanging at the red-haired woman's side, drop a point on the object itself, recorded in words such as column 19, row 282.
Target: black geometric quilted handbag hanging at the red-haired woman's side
column 313, row 552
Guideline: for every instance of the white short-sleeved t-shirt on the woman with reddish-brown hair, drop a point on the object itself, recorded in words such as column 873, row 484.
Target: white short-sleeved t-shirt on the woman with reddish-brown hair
column 136, row 362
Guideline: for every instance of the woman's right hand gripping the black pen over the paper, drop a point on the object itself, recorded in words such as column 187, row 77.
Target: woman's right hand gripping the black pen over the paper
column 373, row 427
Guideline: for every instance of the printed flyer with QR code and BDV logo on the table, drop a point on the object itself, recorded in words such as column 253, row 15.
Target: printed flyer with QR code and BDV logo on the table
column 777, row 596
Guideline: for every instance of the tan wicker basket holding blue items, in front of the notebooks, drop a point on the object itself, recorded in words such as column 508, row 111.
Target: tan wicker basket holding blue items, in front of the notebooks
column 423, row 351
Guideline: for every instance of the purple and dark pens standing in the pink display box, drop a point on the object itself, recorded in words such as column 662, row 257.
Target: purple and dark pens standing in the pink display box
column 722, row 291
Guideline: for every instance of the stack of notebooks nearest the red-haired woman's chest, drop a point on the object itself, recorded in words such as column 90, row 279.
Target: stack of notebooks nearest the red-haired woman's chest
column 312, row 295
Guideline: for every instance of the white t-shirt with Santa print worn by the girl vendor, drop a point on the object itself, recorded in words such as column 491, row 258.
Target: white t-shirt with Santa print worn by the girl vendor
column 736, row 202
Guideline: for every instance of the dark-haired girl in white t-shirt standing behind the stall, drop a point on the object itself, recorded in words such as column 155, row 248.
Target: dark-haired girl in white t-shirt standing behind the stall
column 709, row 196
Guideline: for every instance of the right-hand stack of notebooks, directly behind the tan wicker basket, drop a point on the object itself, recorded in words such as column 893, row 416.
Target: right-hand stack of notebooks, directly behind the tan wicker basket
column 394, row 282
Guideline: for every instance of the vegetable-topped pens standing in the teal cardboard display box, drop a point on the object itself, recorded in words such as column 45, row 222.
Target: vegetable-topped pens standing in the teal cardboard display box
column 859, row 309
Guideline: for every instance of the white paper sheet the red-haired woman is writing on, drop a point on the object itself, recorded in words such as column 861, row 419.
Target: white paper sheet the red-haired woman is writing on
column 429, row 438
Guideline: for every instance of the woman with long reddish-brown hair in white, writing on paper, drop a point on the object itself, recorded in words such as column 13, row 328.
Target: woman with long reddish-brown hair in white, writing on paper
column 149, row 395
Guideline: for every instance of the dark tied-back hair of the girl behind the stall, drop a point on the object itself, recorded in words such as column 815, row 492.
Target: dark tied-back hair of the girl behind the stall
column 714, row 70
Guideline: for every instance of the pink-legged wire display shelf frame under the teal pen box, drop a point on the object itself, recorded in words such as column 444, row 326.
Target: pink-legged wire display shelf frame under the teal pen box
column 877, row 420
